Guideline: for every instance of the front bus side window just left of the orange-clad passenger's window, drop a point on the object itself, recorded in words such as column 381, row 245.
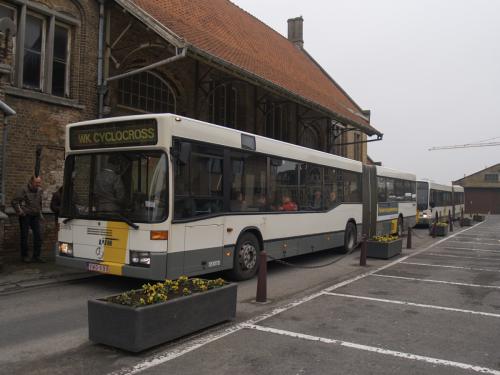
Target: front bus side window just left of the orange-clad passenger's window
column 248, row 188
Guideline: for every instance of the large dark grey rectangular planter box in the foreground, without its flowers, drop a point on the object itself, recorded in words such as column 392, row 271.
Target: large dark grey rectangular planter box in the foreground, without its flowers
column 138, row 328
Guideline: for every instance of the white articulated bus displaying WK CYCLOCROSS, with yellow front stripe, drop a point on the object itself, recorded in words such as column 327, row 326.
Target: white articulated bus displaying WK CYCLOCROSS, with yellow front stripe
column 159, row 196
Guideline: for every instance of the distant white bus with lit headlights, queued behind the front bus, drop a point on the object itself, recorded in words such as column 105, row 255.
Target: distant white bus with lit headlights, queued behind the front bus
column 437, row 201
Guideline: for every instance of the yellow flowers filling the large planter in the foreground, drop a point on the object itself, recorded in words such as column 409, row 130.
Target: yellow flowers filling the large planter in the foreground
column 150, row 294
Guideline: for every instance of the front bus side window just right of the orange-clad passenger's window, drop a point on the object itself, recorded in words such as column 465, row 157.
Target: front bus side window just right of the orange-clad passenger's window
column 310, row 189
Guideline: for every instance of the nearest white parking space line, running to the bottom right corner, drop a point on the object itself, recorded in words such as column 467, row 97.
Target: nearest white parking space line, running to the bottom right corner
column 374, row 349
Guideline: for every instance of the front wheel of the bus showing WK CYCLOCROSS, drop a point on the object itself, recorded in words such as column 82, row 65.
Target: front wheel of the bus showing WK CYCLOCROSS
column 246, row 257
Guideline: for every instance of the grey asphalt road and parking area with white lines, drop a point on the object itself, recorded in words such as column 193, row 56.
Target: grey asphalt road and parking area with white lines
column 434, row 310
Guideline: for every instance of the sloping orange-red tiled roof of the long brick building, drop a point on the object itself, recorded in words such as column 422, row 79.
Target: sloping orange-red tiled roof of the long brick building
column 225, row 31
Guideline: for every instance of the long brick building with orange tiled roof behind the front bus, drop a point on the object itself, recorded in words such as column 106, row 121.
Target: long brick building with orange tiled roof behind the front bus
column 73, row 60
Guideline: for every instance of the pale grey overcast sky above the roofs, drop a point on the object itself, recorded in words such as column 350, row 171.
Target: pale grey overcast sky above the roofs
column 428, row 70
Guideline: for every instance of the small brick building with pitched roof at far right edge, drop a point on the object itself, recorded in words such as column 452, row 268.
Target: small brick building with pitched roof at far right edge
column 482, row 191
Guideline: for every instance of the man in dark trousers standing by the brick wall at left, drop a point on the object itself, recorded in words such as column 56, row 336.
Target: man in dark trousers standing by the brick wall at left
column 28, row 206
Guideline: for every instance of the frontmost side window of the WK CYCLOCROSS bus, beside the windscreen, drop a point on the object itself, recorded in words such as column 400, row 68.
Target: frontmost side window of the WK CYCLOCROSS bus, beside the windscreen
column 198, row 181
